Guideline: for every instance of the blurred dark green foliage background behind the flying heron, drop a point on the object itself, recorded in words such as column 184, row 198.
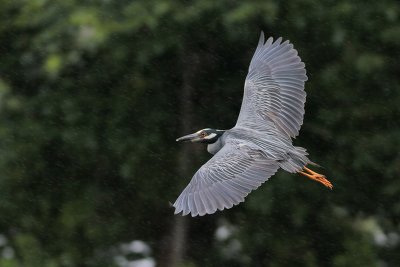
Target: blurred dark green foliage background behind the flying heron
column 93, row 95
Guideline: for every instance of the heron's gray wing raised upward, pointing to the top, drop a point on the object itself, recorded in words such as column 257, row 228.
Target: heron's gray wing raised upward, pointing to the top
column 274, row 89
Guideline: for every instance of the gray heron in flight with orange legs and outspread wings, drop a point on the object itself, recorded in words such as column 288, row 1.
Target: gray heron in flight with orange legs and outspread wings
column 261, row 142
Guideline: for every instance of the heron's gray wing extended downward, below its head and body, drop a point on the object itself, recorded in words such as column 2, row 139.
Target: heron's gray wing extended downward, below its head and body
column 225, row 180
